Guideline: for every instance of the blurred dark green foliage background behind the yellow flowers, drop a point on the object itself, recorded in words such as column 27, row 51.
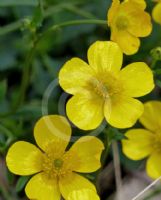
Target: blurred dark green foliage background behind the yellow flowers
column 28, row 67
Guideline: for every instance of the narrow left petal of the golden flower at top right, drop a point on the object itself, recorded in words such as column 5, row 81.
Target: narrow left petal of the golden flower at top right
column 112, row 11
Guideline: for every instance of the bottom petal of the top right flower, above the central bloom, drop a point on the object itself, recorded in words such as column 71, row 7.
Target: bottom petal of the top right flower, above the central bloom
column 127, row 42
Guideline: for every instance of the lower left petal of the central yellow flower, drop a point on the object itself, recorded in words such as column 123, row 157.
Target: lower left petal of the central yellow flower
column 85, row 110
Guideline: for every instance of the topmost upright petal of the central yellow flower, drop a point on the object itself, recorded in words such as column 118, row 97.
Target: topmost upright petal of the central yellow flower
column 105, row 56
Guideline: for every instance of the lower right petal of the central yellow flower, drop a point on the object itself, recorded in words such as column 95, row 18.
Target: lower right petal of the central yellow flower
column 123, row 112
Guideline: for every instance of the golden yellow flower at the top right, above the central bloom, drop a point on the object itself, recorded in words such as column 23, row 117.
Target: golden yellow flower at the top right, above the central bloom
column 128, row 21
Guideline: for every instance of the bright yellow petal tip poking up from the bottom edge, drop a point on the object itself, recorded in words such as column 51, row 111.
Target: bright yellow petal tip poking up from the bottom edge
column 83, row 194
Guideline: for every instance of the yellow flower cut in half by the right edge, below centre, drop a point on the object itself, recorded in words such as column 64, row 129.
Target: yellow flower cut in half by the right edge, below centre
column 142, row 143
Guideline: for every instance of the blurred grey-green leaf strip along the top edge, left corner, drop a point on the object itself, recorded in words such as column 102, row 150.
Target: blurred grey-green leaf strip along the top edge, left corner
column 18, row 3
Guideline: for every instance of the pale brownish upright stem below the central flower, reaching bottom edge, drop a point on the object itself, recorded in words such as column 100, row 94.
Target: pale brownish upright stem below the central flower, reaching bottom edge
column 117, row 169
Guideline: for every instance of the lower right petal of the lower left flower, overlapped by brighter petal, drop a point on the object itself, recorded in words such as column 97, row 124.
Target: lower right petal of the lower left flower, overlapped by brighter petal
column 74, row 182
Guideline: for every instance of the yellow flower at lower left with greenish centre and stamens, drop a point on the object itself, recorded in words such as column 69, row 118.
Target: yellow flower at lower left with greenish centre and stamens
column 54, row 167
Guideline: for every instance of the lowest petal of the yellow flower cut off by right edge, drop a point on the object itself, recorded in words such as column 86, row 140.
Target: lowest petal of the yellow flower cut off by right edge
column 153, row 165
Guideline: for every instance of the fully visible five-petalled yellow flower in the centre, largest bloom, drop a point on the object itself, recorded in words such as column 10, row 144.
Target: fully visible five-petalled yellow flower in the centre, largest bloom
column 101, row 89
